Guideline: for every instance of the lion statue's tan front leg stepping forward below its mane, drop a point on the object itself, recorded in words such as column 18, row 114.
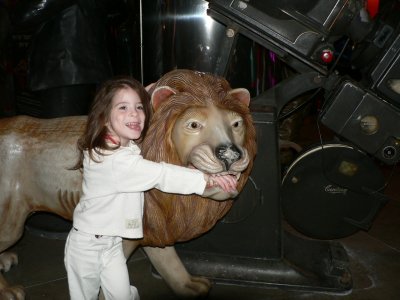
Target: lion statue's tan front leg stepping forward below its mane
column 170, row 267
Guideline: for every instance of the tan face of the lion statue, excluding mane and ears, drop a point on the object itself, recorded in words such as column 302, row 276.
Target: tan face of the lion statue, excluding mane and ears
column 211, row 140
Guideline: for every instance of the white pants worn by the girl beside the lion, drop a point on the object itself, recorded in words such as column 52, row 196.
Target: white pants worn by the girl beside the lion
column 93, row 262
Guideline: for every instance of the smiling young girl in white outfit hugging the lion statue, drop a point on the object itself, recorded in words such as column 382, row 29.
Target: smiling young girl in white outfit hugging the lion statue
column 115, row 177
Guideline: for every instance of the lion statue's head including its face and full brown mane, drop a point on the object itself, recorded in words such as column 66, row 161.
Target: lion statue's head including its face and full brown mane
column 199, row 121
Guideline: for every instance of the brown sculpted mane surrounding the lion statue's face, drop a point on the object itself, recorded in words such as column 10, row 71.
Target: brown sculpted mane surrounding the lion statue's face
column 172, row 218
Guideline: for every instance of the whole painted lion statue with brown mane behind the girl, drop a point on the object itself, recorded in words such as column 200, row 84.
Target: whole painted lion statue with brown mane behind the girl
column 198, row 121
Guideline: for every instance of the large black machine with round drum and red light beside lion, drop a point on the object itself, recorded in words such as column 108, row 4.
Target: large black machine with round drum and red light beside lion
column 353, row 57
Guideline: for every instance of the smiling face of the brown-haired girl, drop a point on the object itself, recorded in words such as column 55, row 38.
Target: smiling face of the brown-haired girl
column 127, row 116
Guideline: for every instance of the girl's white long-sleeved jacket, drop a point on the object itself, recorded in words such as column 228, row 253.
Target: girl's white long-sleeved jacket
column 113, row 190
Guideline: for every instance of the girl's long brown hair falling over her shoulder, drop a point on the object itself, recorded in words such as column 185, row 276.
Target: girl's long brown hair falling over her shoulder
column 93, row 138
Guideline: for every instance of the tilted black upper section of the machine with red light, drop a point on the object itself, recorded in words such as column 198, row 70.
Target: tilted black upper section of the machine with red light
column 363, row 108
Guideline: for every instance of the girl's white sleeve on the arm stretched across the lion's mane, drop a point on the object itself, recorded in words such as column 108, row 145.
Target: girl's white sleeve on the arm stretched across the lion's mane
column 133, row 173
